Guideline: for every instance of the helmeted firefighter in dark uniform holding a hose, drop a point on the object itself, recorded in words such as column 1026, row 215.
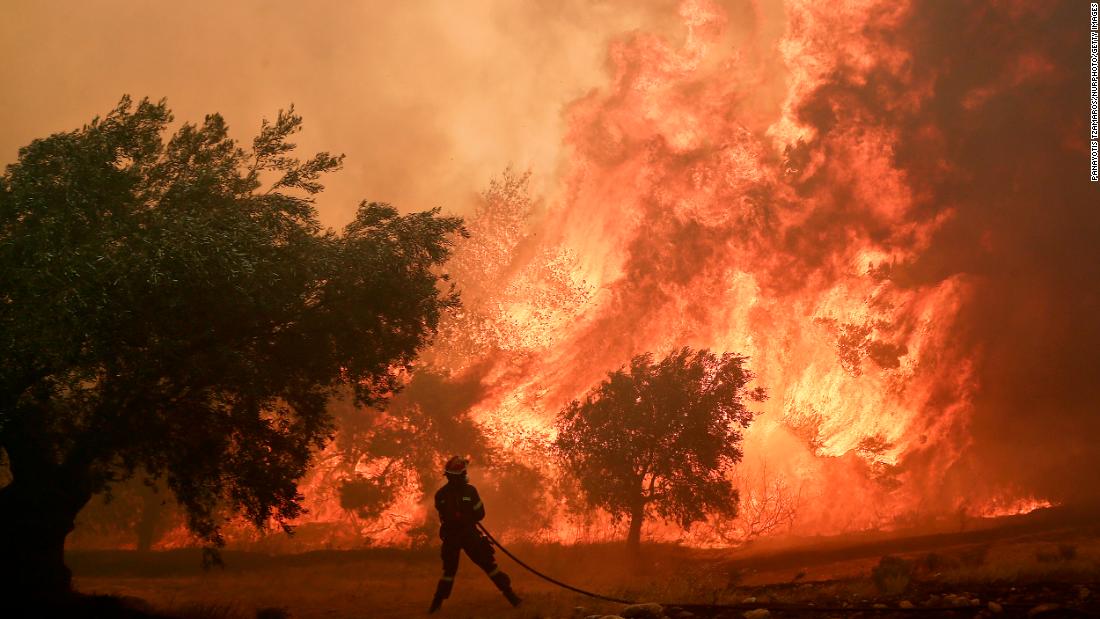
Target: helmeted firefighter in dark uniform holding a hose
column 460, row 510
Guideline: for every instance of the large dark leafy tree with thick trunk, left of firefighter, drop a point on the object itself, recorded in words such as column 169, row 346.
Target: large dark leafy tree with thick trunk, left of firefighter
column 175, row 311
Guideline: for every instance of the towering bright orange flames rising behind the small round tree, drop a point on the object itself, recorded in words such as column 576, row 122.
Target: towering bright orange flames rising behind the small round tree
column 692, row 216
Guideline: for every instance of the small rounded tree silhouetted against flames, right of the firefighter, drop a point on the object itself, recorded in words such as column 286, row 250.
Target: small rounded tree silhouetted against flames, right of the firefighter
column 661, row 439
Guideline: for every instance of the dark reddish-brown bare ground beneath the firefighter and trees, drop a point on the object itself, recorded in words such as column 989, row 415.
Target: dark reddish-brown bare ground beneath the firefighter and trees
column 1041, row 566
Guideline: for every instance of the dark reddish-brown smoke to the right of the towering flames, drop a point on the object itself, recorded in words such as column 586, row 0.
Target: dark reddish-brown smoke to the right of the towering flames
column 1002, row 141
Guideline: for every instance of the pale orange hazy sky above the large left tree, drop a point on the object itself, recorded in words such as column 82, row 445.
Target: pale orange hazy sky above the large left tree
column 430, row 101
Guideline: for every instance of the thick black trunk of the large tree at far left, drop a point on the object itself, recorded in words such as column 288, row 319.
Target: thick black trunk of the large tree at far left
column 37, row 514
